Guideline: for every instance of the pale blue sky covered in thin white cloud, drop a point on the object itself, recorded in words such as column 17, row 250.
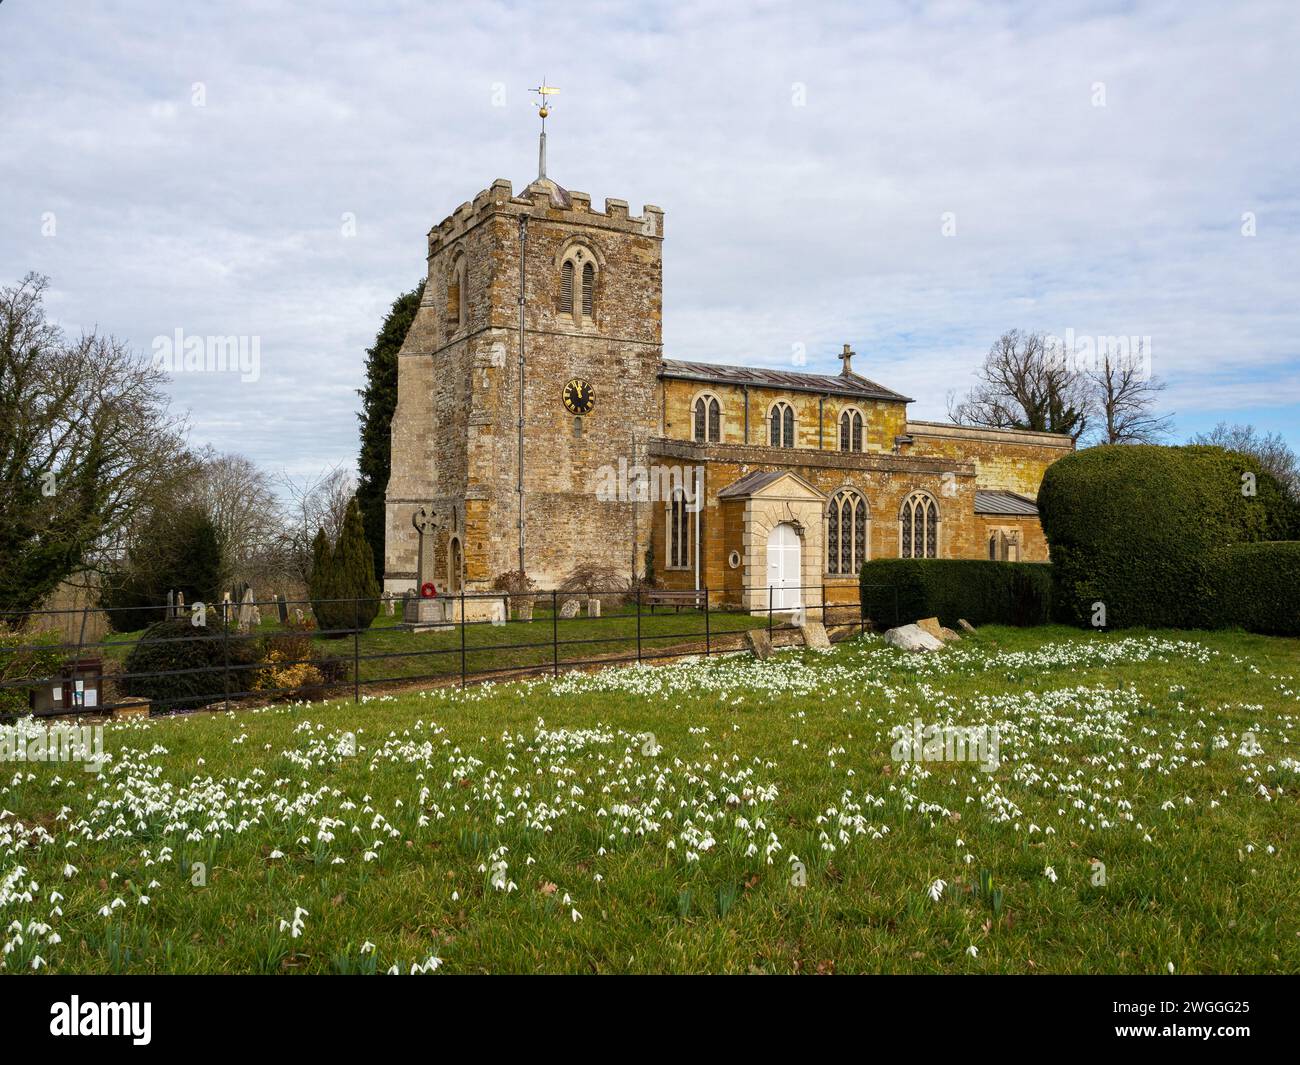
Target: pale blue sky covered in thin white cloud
column 271, row 170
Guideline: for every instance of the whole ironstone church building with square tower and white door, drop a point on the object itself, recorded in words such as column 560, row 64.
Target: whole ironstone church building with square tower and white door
column 540, row 427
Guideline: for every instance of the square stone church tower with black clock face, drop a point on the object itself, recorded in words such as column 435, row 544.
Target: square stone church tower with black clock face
column 543, row 289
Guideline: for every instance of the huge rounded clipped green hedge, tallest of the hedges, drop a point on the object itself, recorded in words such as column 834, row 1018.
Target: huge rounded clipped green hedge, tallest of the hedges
column 1139, row 529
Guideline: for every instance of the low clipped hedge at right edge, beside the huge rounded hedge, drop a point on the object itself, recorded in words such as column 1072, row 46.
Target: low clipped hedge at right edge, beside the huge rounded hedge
column 1259, row 587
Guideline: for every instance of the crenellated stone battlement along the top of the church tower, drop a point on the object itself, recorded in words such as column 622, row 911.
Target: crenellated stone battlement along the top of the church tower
column 547, row 201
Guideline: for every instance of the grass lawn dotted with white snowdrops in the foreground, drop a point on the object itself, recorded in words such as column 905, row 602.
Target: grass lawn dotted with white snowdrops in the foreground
column 723, row 816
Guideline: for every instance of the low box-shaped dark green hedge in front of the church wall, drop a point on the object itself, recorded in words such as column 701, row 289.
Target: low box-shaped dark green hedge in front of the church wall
column 1008, row 594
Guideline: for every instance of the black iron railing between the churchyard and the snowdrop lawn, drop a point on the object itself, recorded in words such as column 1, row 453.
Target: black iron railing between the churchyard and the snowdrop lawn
column 466, row 637
